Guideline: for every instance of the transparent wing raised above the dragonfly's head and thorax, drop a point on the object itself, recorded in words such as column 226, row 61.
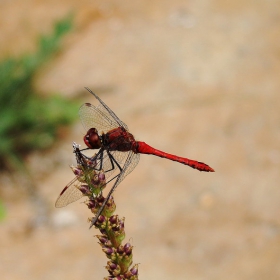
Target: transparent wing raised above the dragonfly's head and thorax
column 101, row 117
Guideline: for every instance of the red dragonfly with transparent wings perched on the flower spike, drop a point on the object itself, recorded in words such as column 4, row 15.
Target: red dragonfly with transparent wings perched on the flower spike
column 118, row 151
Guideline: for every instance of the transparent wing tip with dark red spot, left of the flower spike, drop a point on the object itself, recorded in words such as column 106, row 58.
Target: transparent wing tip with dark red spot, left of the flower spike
column 69, row 194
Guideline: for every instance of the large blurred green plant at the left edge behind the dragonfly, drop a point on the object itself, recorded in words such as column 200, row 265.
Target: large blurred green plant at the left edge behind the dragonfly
column 29, row 121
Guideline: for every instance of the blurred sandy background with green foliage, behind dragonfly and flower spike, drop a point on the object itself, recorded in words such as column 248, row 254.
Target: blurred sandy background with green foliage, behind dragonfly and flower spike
column 194, row 78
